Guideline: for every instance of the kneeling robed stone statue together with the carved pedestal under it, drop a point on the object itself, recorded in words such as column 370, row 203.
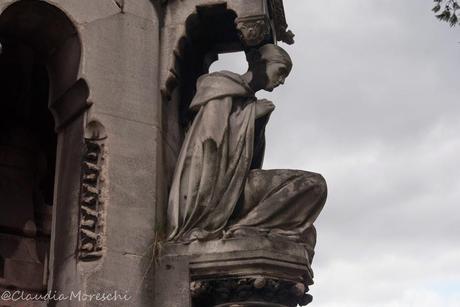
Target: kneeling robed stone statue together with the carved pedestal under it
column 229, row 217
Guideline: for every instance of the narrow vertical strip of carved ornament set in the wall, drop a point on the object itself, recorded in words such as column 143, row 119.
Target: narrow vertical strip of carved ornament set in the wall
column 92, row 200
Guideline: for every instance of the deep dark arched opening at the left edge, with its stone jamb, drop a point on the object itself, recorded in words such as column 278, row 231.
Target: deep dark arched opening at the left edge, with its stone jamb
column 41, row 140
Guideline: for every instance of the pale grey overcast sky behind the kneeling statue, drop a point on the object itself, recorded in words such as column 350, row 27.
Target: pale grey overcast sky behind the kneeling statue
column 373, row 104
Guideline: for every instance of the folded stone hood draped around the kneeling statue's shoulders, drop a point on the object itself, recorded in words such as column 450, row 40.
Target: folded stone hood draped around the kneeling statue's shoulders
column 218, row 85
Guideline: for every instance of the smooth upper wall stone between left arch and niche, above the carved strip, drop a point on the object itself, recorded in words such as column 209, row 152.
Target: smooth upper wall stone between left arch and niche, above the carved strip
column 122, row 68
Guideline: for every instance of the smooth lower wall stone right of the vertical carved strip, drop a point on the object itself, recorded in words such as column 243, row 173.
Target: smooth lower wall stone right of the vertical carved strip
column 129, row 214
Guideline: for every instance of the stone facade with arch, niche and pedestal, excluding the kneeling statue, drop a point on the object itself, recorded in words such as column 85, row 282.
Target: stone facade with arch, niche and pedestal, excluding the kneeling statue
column 98, row 95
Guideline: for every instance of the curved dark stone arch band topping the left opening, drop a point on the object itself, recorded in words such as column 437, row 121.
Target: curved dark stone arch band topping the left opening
column 53, row 38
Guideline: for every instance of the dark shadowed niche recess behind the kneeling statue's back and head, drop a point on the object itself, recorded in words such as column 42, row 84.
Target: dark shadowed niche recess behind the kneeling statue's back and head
column 208, row 31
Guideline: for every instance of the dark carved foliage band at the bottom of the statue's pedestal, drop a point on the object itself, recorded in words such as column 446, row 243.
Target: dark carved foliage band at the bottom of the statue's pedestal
column 252, row 291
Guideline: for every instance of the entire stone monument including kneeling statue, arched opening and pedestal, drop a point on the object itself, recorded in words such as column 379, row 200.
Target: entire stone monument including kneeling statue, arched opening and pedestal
column 125, row 167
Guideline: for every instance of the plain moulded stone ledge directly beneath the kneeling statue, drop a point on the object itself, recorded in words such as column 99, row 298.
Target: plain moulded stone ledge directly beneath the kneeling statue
column 263, row 256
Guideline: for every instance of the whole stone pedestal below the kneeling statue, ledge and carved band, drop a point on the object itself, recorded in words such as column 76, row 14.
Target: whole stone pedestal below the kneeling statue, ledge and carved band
column 255, row 271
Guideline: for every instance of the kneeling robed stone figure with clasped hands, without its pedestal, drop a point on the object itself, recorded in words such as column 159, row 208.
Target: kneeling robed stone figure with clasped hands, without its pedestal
column 219, row 189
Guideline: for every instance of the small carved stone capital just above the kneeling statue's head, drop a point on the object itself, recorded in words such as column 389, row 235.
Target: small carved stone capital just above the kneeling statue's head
column 253, row 30
